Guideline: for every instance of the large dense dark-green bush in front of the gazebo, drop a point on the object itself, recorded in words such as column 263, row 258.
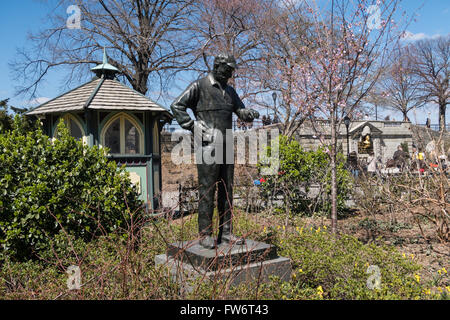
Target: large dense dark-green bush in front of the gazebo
column 47, row 185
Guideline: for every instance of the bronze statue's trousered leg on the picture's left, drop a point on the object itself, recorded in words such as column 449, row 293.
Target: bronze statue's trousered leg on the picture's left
column 207, row 177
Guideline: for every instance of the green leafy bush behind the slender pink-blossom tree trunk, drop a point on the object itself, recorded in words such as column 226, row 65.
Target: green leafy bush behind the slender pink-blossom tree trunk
column 299, row 169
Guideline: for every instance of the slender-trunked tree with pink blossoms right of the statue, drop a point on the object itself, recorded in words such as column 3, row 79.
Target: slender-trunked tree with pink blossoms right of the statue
column 335, row 64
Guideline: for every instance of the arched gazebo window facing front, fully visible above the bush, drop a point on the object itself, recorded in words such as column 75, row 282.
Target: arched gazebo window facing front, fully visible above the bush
column 122, row 135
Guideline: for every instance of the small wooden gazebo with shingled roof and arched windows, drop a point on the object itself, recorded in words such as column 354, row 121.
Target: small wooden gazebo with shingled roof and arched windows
column 107, row 113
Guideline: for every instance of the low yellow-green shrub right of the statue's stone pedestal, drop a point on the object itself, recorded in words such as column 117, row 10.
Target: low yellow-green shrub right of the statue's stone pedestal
column 337, row 266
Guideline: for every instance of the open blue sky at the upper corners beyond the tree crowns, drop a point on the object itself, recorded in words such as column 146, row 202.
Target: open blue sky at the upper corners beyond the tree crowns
column 22, row 16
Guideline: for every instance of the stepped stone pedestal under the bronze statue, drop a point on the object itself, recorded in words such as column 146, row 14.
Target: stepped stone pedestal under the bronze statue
column 252, row 261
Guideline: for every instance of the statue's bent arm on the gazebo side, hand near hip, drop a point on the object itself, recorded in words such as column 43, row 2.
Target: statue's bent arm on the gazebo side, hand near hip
column 188, row 99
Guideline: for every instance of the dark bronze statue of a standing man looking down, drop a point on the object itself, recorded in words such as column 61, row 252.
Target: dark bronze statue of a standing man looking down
column 213, row 102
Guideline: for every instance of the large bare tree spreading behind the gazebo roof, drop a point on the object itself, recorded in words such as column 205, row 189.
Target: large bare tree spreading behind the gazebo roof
column 146, row 40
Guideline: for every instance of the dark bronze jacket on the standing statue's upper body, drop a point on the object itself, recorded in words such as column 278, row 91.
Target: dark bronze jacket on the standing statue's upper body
column 209, row 102
